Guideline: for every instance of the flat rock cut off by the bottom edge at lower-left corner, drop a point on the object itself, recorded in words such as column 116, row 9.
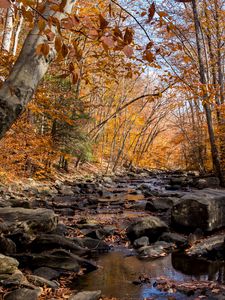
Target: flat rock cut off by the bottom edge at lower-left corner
column 23, row 293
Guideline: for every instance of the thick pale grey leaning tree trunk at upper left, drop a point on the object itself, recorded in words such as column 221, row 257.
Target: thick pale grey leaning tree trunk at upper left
column 28, row 71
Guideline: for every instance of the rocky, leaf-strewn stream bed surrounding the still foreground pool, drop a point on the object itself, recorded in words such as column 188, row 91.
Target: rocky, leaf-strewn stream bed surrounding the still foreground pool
column 49, row 233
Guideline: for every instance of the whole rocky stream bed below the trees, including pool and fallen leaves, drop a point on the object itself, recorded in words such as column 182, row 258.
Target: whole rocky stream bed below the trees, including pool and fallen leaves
column 112, row 235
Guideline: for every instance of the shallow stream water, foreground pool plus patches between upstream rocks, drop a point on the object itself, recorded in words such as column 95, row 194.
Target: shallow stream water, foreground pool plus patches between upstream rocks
column 119, row 268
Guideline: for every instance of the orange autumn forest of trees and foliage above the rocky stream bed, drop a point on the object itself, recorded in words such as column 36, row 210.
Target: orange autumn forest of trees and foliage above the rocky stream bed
column 129, row 83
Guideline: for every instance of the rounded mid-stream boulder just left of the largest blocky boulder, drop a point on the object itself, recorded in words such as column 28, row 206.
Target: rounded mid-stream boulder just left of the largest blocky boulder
column 152, row 227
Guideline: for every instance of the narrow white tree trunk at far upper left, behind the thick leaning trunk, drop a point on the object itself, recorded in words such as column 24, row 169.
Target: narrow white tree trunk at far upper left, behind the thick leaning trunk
column 8, row 30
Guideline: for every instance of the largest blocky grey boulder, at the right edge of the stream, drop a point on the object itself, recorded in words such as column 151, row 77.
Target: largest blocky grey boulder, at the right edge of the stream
column 200, row 209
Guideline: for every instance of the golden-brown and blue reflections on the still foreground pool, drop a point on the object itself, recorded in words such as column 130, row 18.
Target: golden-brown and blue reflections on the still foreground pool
column 116, row 273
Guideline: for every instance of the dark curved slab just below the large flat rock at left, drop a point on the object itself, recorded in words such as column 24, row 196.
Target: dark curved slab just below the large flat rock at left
column 45, row 242
